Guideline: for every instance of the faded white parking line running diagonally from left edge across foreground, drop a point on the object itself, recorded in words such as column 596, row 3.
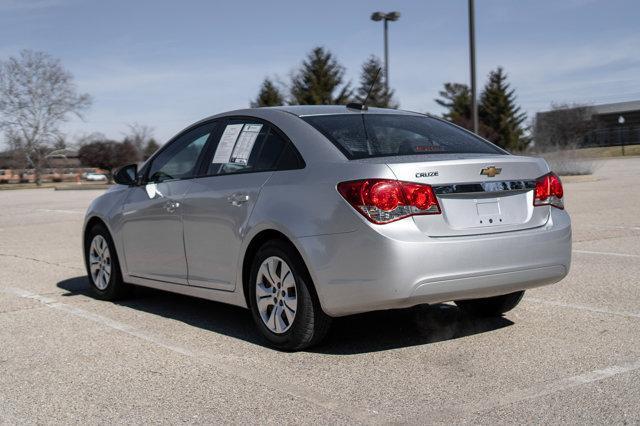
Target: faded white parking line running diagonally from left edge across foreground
column 231, row 366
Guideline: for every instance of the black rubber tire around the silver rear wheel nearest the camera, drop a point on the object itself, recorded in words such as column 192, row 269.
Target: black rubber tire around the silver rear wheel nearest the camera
column 310, row 324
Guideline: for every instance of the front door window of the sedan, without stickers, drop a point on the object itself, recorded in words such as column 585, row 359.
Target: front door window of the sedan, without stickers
column 179, row 160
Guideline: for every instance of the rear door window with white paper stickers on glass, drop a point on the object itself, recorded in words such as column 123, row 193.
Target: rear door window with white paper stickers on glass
column 246, row 146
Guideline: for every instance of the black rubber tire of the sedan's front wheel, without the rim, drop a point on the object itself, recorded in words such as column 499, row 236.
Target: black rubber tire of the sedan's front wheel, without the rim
column 116, row 289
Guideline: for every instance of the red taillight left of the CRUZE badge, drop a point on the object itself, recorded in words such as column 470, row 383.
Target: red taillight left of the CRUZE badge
column 385, row 200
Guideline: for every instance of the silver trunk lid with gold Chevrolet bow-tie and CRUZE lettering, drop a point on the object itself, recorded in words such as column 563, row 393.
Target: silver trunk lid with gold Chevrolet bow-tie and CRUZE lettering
column 477, row 194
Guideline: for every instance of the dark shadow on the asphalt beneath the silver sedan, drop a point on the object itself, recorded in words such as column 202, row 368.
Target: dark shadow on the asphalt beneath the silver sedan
column 354, row 334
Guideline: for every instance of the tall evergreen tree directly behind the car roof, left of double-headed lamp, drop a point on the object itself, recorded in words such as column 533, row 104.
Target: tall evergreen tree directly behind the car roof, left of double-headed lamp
column 319, row 81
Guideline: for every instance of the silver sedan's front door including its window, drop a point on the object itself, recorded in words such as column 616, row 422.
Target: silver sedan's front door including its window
column 152, row 214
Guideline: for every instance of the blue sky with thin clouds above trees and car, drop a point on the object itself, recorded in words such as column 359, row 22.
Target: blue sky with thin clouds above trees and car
column 167, row 64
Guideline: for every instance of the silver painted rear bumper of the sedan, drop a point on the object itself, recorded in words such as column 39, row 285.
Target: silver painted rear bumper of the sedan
column 369, row 270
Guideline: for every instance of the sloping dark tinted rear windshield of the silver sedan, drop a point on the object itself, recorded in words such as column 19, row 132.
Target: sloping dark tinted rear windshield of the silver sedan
column 382, row 135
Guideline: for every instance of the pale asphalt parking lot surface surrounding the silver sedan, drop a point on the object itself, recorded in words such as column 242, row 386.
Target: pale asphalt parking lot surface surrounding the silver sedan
column 570, row 353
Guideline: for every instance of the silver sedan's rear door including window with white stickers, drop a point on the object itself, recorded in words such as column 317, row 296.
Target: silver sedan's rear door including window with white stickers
column 218, row 205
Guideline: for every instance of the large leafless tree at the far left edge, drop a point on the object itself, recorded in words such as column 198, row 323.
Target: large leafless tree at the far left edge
column 37, row 94
